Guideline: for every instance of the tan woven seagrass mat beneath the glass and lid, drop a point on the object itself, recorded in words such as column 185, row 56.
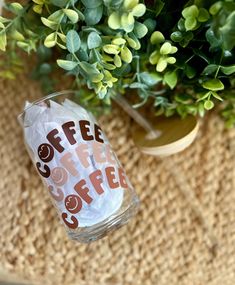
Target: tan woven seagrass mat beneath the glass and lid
column 164, row 244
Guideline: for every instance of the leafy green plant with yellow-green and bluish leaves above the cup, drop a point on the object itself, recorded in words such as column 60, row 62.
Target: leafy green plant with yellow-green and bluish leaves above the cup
column 178, row 55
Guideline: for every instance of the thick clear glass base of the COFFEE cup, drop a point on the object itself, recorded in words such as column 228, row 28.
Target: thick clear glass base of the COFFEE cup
column 100, row 230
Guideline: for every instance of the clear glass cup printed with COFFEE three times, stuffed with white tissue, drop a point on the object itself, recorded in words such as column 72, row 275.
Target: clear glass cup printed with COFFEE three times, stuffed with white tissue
column 82, row 174
